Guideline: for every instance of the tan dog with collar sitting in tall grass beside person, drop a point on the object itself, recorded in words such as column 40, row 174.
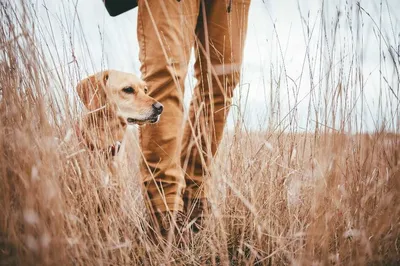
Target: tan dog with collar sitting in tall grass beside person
column 114, row 100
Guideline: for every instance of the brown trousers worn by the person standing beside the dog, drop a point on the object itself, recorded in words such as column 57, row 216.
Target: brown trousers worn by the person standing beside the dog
column 177, row 153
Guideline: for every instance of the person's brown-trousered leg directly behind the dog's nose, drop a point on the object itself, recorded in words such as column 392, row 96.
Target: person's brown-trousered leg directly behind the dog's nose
column 166, row 34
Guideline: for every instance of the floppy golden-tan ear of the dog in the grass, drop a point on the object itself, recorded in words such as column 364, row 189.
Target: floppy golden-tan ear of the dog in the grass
column 92, row 90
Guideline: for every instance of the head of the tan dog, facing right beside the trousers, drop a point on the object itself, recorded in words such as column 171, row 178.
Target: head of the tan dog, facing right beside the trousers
column 124, row 93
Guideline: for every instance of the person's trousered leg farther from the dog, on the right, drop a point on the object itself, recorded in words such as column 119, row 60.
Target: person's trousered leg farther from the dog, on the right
column 221, row 33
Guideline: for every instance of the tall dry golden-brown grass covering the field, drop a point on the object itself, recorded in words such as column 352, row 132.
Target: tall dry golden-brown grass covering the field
column 278, row 198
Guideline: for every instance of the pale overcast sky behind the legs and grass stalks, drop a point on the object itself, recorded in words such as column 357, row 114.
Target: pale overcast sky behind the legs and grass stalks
column 284, row 50
